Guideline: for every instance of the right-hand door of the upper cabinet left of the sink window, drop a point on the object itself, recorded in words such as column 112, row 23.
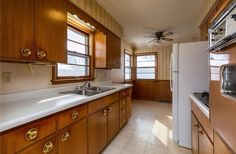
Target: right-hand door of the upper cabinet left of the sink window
column 51, row 30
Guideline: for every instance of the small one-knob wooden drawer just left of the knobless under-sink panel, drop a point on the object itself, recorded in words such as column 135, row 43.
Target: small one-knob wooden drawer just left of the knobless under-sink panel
column 70, row 116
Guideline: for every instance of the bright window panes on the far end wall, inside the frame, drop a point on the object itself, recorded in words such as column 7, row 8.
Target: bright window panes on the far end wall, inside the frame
column 146, row 66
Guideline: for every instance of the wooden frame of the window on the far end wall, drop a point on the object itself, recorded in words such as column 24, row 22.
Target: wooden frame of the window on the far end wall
column 155, row 68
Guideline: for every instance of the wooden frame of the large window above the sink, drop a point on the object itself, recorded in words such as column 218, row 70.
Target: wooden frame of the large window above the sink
column 72, row 79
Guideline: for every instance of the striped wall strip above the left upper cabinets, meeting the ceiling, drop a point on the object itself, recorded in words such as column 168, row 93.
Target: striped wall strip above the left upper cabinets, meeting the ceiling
column 92, row 8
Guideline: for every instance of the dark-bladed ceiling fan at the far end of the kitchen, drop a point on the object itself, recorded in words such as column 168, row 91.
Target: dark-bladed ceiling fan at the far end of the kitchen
column 158, row 36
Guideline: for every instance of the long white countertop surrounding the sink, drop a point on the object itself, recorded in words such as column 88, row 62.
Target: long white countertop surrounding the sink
column 20, row 108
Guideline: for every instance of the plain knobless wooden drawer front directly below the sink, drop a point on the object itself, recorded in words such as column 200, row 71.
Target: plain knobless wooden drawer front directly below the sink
column 102, row 103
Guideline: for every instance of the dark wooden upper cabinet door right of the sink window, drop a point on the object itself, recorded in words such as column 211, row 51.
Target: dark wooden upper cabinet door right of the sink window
column 113, row 51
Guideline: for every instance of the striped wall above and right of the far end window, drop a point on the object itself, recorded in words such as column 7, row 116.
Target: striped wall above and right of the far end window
column 164, row 53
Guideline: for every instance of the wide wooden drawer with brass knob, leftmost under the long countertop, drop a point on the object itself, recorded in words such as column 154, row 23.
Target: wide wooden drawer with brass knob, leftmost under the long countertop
column 27, row 135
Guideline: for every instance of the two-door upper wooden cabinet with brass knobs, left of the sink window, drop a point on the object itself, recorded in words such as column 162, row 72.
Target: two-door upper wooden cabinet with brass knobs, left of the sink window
column 33, row 30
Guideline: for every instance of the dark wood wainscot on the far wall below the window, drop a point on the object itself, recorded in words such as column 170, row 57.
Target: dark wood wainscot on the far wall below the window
column 152, row 90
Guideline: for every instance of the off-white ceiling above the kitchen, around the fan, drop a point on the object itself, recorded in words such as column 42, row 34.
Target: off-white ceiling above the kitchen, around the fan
column 145, row 17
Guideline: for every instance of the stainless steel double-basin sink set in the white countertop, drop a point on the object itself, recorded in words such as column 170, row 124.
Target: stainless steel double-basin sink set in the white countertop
column 90, row 91
